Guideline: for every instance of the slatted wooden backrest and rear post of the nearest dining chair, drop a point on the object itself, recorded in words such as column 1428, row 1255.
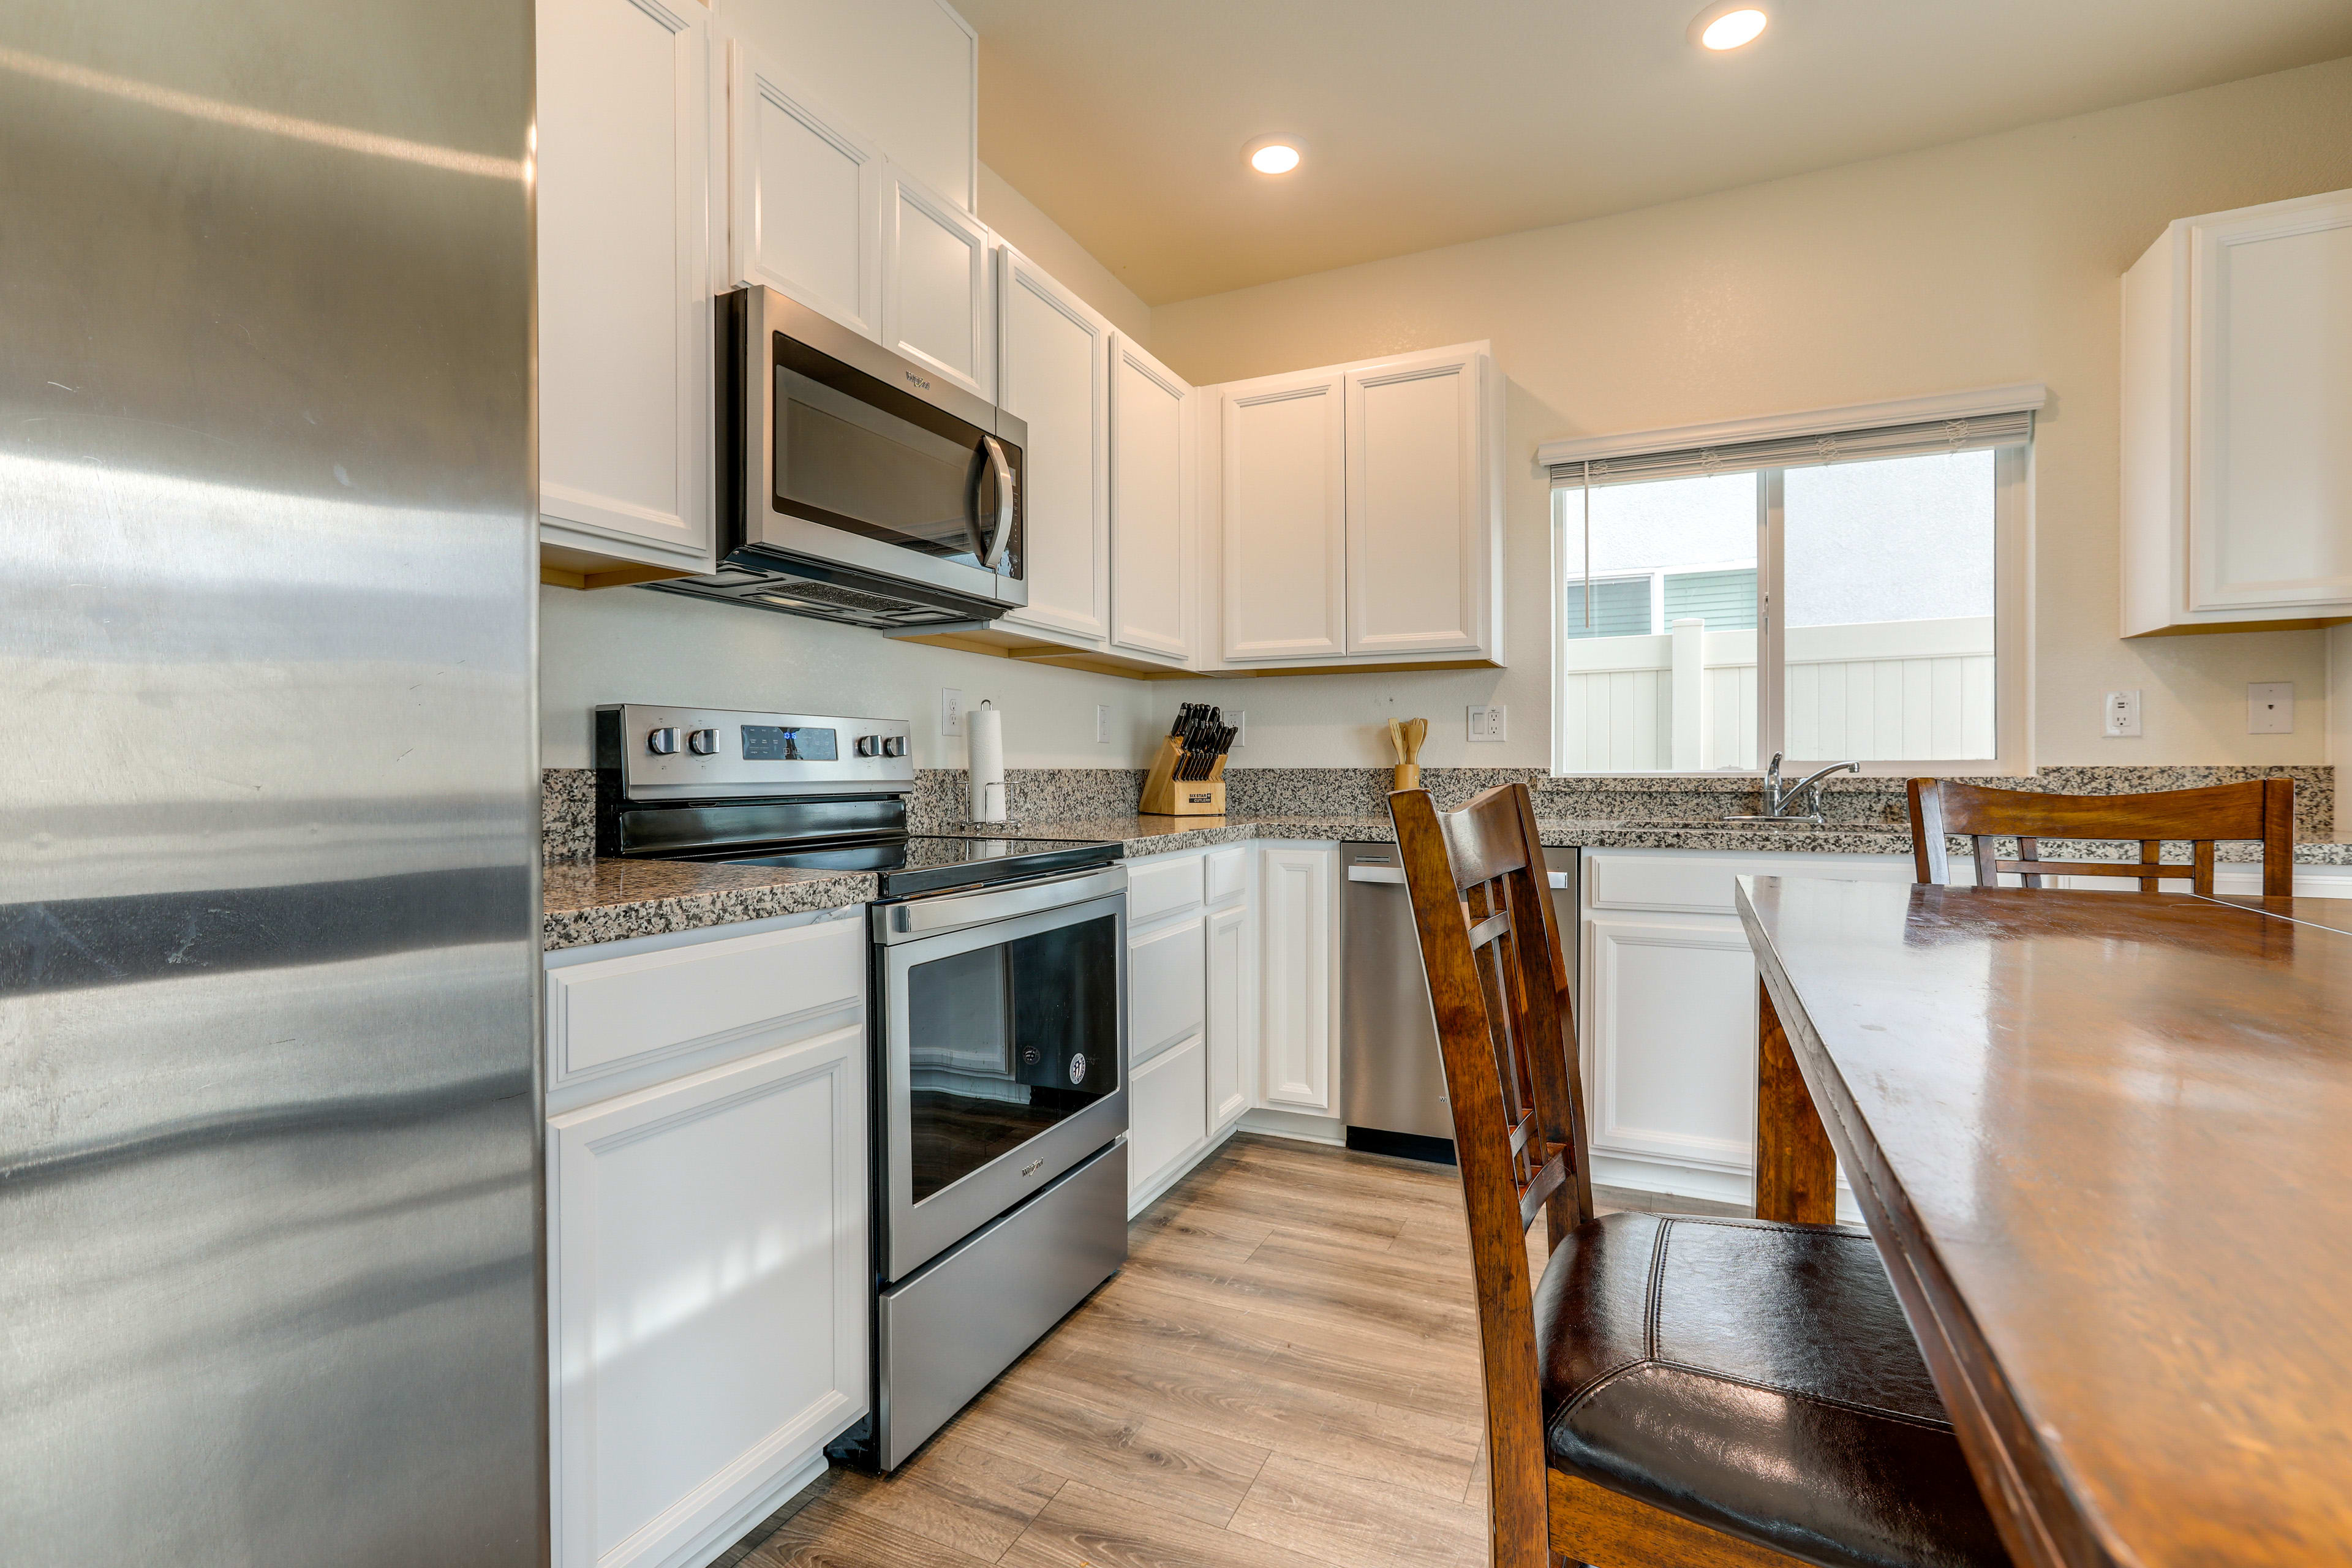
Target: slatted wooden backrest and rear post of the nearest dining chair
column 1499, row 991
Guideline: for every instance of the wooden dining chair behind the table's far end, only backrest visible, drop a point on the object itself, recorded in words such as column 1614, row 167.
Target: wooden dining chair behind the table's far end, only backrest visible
column 2257, row 810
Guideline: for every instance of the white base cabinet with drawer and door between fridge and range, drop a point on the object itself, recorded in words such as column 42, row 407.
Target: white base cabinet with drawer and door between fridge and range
column 707, row 1233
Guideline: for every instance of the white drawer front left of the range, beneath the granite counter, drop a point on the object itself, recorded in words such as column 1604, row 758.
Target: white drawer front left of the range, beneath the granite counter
column 613, row 1012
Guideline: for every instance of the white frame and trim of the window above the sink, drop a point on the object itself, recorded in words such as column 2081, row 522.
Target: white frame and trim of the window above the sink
column 2012, row 591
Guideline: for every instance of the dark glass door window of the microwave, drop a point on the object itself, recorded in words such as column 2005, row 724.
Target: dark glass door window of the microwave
column 864, row 457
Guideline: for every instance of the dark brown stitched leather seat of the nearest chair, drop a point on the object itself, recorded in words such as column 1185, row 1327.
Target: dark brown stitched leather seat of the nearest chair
column 1760, row 1381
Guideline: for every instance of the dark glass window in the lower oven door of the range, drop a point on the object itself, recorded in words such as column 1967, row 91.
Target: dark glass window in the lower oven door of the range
column 1005, row 1043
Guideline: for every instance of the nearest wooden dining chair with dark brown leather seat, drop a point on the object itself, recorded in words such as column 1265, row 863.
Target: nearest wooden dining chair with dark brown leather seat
column 1673, row 1393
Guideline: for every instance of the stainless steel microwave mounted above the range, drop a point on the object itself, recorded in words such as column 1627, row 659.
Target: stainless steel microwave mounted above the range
column 853, row 483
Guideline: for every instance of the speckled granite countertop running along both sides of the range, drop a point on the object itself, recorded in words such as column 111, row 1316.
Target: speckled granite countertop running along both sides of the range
column 606, row 902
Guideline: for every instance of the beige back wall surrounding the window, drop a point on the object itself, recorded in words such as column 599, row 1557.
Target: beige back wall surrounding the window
column 1965, row 267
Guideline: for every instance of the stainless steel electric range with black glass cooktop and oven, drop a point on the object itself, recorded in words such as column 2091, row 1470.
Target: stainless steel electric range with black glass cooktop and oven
column 998, row 1028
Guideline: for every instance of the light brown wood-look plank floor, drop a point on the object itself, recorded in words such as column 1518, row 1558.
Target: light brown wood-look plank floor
column 1283, row 1374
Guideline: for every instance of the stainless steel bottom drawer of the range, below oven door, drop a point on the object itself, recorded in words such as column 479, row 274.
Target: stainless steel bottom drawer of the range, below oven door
column 951, row 1329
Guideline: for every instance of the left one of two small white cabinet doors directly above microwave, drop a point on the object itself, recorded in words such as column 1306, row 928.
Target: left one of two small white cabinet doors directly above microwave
column 806, row 196
